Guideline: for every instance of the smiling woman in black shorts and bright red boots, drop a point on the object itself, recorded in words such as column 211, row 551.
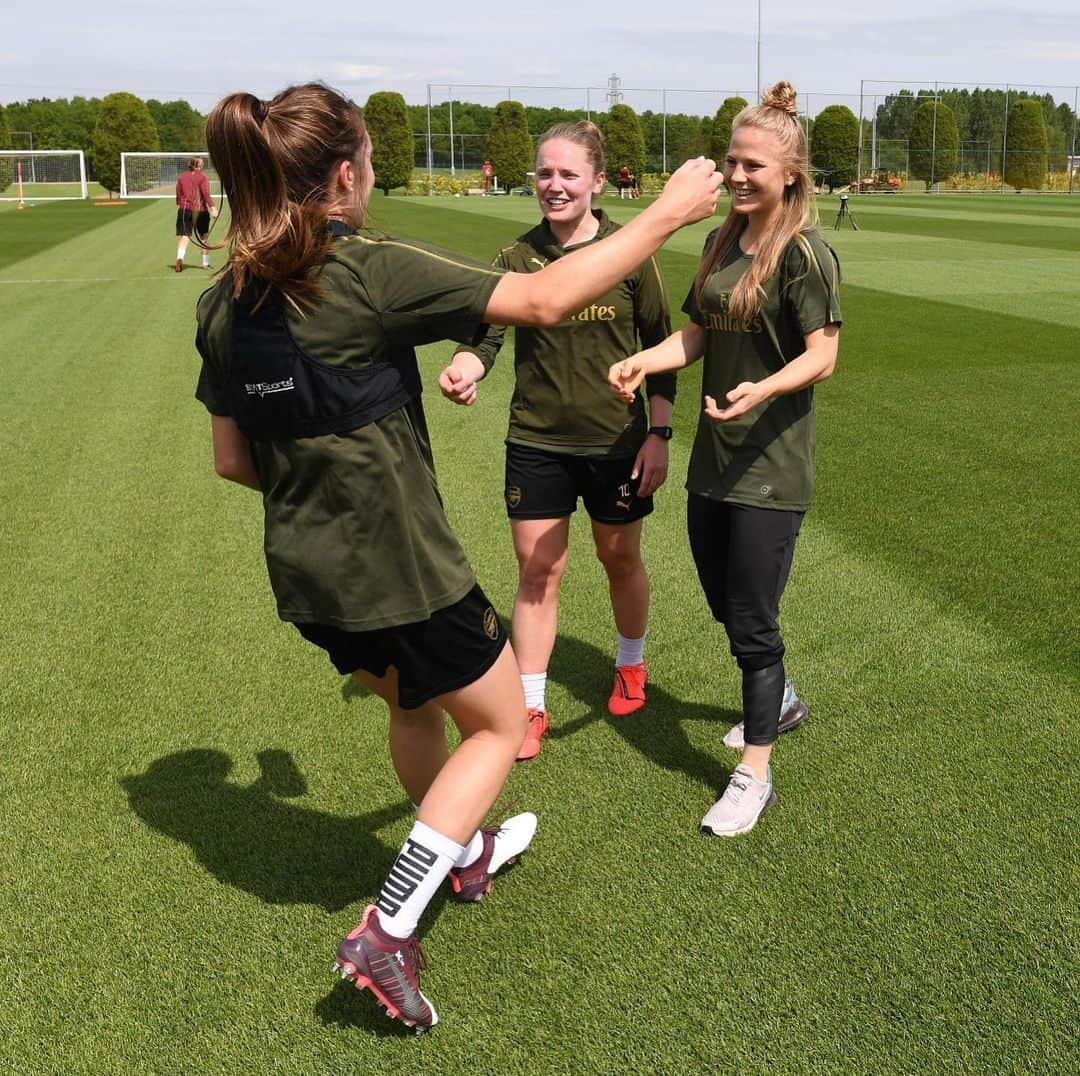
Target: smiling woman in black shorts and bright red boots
column 569, row 438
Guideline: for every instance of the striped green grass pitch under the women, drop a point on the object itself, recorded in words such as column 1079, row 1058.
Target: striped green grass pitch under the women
column 194, row 809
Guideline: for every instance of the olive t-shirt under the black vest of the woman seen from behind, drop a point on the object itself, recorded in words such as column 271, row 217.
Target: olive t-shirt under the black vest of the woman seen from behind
column 356, row 534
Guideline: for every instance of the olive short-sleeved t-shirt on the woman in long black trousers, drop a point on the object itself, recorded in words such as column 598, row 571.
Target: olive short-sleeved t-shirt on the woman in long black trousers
column 764, row 459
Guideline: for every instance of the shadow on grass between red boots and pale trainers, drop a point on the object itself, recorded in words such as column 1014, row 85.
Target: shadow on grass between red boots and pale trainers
column 657, row 732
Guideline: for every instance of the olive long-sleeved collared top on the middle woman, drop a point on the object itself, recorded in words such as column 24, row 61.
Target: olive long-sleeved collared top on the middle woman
column 562, row 401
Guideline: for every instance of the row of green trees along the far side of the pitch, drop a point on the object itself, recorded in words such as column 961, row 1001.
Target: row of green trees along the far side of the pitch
column 1037, row 132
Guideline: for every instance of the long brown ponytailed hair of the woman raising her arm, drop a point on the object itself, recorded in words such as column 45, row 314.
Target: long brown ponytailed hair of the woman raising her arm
column 276, row 160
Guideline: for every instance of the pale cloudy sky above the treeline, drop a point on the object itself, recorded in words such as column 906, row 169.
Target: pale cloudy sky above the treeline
column 826, row 51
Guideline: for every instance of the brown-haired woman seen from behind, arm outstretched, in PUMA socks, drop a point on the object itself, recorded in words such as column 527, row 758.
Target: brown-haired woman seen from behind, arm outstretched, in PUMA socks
column 313, row 385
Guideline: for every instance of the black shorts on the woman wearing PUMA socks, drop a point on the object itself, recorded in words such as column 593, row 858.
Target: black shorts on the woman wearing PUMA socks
column 451, row 650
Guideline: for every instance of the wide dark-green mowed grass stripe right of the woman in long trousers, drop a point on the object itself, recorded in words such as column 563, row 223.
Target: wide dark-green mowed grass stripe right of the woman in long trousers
column 936, row 458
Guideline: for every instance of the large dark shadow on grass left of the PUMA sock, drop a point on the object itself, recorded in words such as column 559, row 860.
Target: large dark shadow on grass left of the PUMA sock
column 249, row 838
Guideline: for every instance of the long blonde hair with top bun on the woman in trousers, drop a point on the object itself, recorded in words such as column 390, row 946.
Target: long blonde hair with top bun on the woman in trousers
column 778, row 114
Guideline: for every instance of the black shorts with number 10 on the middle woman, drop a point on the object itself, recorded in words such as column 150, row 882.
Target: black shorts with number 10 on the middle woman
column 546, row 486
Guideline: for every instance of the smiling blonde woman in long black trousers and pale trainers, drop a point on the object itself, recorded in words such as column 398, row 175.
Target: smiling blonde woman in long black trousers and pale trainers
column 764, row 313
